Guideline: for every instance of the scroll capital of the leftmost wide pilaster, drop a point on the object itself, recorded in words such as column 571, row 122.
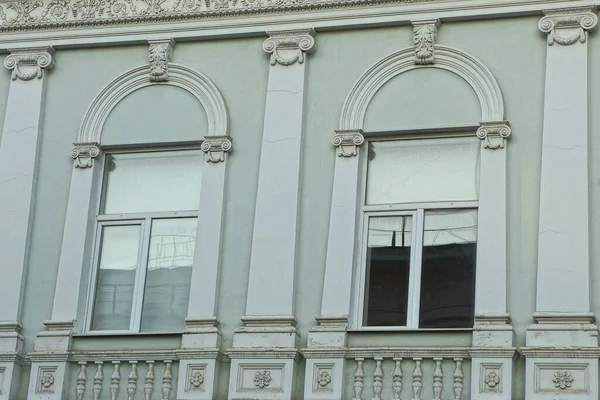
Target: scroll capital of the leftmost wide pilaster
column 27, row 64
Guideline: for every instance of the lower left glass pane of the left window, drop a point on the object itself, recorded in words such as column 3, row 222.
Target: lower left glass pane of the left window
column 116, row 277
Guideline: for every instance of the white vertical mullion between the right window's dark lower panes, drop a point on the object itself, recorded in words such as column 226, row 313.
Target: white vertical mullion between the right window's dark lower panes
column 414, row 293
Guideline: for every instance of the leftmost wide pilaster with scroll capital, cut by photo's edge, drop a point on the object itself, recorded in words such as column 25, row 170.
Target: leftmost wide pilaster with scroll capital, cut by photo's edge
column 18, row 169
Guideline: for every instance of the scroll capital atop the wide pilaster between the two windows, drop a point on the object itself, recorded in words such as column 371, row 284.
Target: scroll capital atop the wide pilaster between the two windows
column 288, row 47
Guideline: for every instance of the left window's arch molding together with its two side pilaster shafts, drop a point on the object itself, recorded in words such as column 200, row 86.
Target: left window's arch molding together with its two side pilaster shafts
column 84, row 196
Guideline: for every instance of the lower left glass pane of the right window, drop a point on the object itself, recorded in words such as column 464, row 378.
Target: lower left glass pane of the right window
column 388, row 267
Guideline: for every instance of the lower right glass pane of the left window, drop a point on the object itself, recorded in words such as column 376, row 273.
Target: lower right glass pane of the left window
column 167, row 288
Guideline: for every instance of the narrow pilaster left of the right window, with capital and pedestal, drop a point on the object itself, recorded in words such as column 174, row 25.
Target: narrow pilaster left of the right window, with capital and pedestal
column 326, row 347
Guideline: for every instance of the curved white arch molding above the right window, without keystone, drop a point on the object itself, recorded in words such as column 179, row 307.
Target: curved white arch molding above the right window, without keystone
column 466, row 66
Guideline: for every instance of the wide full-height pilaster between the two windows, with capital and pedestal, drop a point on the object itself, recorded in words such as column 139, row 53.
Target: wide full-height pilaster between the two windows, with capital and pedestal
column 269, row 333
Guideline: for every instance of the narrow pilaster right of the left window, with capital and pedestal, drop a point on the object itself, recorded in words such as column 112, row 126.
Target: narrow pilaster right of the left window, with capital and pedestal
column 201, row 341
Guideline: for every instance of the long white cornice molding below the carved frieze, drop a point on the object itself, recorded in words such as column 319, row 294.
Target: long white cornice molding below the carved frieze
column 338, row 15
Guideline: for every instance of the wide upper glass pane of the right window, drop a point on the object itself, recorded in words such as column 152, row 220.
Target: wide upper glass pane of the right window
column 405, row 171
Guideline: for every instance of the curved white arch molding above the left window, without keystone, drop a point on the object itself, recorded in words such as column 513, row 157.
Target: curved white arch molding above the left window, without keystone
column 197, row 84
